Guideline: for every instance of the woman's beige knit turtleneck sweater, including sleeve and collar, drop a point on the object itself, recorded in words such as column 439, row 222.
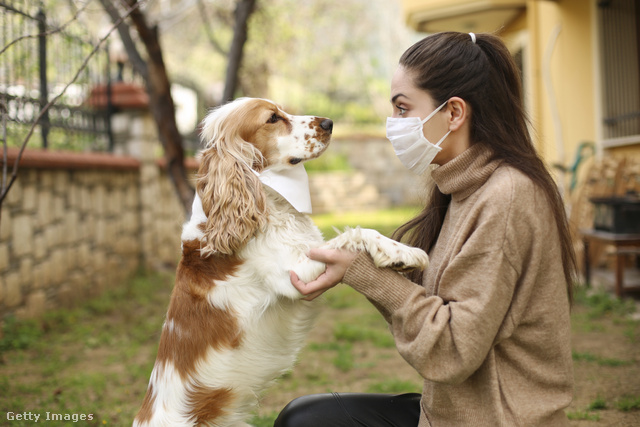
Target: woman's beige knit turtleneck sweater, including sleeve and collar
column 489, row 329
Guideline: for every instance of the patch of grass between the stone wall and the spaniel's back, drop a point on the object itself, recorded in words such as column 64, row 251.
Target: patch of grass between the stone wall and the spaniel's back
column 85, row 360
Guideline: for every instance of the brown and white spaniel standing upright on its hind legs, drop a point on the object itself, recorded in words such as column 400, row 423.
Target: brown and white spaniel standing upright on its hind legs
column 235, row 323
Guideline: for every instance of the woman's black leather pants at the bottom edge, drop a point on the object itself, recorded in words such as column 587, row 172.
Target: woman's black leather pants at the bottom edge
column 351, row 410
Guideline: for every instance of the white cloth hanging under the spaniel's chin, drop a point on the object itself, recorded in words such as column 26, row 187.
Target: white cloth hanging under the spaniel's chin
column 291, row 183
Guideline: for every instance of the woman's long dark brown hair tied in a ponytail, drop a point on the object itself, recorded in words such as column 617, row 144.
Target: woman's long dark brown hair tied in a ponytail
column 484, row 75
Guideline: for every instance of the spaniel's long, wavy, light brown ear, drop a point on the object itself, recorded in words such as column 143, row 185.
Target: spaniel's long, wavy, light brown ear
column 231, row 193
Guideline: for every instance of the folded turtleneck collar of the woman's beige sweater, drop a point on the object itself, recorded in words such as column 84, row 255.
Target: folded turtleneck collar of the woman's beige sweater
column 464, row 174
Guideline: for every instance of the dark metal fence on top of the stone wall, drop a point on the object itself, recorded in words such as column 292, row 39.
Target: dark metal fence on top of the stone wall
column 38, row 60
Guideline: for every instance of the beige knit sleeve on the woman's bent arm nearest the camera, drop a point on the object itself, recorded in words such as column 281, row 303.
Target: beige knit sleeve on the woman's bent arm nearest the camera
column 445, row 341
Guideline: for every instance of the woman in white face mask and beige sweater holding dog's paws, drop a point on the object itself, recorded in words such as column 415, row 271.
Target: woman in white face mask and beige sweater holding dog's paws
column 487, row 325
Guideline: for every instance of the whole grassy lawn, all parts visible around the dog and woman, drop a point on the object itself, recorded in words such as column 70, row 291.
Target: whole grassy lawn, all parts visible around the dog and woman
column 96, row 359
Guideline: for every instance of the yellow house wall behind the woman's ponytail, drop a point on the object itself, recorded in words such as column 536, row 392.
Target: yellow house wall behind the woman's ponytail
column 568, row 115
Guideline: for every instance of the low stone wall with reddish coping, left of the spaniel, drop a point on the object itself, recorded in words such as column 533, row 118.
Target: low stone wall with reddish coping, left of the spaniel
column 75, row 223
